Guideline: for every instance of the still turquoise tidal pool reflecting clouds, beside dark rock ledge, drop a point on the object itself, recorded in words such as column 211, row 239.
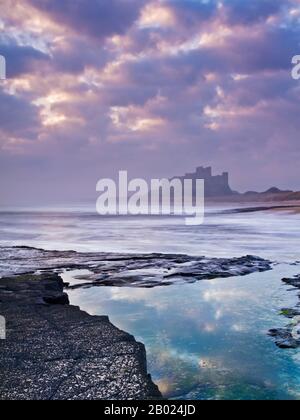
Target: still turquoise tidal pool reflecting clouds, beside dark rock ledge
column 209, row 339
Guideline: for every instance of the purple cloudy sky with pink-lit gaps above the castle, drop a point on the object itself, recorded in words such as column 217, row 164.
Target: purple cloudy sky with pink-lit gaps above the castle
column 155, row 87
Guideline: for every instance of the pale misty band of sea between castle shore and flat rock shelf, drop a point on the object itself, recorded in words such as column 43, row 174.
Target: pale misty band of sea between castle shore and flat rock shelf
column 271, row 235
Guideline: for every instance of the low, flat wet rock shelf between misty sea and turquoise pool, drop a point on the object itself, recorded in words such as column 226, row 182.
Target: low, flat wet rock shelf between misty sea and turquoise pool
column 144, row 270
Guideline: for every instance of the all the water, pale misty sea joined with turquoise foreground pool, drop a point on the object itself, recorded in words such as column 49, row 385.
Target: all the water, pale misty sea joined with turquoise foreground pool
column 206, row 340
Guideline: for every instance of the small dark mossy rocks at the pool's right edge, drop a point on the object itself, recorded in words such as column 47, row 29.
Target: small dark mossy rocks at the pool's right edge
column 289, row 337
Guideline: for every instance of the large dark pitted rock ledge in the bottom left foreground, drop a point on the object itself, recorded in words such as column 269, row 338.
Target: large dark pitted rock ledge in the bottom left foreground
column 54, row 351
